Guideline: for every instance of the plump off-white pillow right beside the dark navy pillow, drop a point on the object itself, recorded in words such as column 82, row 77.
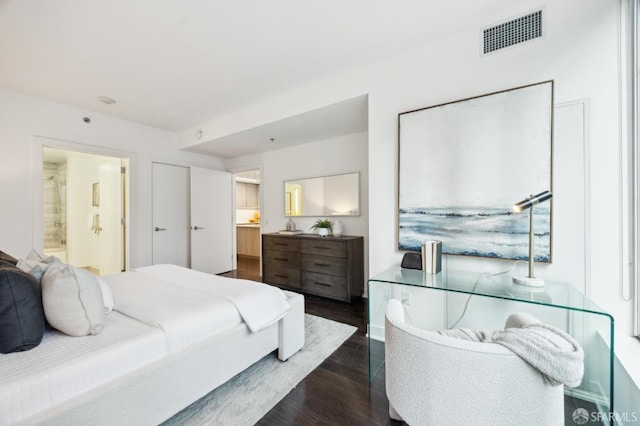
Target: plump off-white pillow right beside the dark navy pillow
column 72, row 300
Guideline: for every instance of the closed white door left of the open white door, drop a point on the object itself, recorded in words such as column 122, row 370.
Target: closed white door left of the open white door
column 170, row 212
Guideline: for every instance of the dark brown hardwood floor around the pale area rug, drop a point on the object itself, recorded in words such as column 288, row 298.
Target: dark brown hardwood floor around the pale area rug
column 338, row 392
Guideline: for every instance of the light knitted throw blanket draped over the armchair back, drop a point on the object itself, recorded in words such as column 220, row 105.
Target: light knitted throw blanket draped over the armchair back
column 553, row 352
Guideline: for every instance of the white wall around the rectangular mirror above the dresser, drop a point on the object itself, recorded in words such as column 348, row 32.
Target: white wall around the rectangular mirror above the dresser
column 343, row 154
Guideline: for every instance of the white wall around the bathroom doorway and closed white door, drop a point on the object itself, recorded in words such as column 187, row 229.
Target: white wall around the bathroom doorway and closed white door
column 23, row 118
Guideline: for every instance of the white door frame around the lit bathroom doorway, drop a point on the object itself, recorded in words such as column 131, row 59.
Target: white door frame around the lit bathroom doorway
column 40, row 142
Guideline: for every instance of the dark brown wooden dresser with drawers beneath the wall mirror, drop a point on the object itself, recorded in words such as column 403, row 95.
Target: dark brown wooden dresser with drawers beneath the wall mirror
column 332, row 267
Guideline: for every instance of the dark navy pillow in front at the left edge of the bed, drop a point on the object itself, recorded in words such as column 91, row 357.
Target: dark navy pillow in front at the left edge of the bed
column 21, row 313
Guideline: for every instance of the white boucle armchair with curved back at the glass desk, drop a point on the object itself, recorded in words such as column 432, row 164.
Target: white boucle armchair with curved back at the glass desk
column 433, row 379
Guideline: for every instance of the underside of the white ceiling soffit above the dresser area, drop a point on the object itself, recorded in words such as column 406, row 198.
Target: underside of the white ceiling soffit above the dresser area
column 343, row 118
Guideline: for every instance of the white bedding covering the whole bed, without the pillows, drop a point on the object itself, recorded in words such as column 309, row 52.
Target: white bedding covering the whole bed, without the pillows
column 159, row 311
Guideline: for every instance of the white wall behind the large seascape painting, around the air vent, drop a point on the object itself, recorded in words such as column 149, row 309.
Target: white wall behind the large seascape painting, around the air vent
column 579, row 52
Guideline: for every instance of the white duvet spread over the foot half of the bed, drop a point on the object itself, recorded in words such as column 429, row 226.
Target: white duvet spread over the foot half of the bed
column 190, row 306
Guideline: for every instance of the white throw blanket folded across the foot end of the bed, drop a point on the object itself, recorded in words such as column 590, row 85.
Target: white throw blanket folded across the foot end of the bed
column 260, row 305
